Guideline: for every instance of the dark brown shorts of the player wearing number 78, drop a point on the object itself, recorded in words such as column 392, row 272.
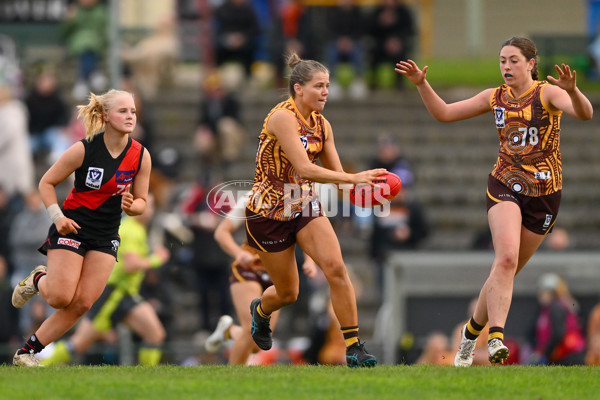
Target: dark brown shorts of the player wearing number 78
column 538, row 213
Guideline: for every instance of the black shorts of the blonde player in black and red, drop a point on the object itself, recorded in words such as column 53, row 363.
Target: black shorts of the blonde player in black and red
column 76, row 244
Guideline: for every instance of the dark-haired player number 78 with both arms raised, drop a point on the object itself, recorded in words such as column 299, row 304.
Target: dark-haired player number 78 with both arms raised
column 525, row 186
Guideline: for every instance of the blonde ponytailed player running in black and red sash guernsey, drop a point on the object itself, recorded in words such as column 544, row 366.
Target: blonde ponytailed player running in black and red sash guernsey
column 112, row 173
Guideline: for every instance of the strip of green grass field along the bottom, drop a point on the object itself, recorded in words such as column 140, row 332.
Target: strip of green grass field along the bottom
column 292, row 383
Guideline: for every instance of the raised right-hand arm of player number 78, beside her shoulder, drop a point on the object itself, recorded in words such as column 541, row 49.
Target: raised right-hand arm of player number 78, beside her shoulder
column 569, row 99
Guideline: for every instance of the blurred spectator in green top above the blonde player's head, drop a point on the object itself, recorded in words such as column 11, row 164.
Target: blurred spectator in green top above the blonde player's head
column 85, row 32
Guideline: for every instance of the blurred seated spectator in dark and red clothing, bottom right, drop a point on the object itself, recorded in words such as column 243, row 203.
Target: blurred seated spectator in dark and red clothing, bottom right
column 559, row 338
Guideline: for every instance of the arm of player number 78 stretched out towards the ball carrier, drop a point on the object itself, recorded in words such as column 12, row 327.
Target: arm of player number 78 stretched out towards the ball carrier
column 437, row 107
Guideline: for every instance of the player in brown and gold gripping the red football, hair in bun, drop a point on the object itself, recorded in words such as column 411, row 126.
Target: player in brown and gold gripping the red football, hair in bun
column 294, row 135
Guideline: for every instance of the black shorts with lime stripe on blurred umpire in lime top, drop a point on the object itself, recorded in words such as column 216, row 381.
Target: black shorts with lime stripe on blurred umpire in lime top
column 112, row 307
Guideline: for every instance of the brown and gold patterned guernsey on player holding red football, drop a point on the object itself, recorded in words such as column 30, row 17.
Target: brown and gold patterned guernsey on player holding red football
column 278, row 193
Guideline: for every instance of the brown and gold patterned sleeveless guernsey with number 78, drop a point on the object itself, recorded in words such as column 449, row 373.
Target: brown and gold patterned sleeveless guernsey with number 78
column 529, row 158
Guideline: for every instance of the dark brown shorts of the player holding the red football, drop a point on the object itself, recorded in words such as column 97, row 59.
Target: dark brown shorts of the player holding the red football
column 271, row 236
